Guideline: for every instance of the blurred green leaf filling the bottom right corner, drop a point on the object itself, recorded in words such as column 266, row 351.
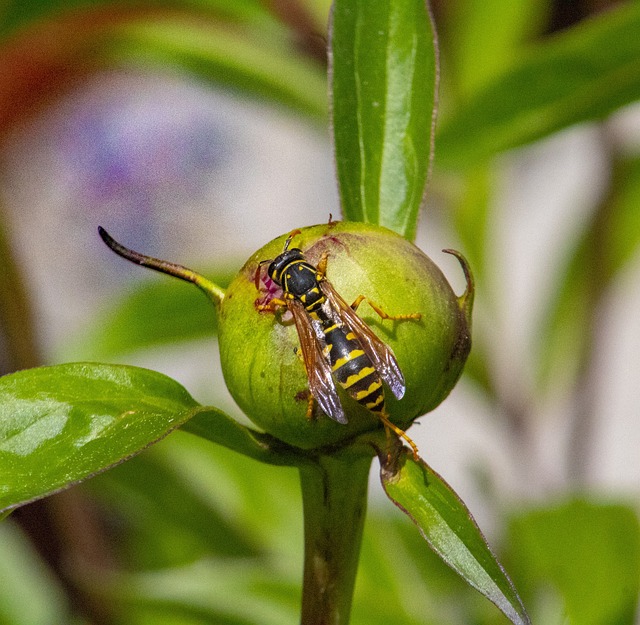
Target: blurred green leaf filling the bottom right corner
column 590, row 553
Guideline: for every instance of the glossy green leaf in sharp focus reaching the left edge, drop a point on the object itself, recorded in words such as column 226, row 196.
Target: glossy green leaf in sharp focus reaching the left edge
column 60, row 425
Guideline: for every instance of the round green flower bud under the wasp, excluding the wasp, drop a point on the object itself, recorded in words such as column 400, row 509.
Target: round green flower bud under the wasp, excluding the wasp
column 259, row 350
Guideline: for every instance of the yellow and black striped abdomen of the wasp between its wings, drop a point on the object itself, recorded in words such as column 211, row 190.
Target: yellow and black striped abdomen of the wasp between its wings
column 353, row 369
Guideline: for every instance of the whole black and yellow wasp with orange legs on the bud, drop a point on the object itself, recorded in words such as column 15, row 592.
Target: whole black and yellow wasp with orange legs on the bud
column 336, row 344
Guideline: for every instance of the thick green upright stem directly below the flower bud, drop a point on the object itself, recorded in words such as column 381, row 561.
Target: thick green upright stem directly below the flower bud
column 334, row 495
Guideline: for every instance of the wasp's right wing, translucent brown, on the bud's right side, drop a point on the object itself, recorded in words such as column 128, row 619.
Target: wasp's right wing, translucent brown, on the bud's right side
column 378, row 352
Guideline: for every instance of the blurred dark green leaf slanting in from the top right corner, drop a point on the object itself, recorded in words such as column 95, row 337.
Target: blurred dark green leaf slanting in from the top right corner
column 581, row 74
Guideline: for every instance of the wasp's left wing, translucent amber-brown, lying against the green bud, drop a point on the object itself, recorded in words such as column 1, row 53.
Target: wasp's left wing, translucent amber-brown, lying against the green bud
column 318, row 368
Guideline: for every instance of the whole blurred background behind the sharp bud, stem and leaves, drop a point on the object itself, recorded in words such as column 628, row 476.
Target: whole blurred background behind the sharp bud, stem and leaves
column 196, row 131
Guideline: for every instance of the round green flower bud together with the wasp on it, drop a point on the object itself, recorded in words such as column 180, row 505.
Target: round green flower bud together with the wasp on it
column 290, row 328
